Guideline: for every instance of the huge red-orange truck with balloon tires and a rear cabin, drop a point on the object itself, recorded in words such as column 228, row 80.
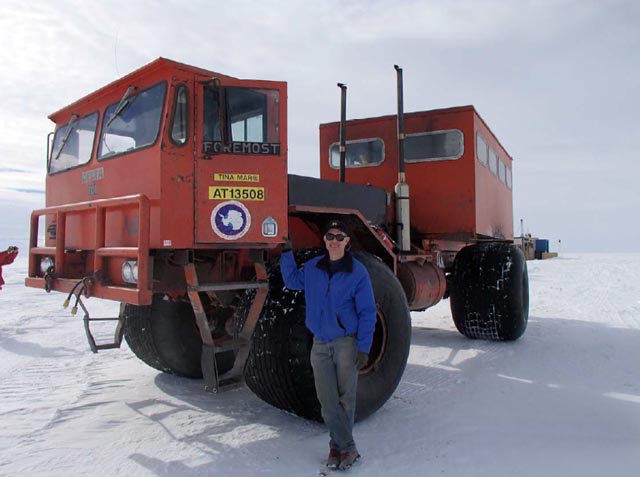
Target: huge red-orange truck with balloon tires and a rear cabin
column 167, row 191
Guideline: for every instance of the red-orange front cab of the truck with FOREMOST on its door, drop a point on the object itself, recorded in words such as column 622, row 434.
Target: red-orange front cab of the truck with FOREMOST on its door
column 168, row 157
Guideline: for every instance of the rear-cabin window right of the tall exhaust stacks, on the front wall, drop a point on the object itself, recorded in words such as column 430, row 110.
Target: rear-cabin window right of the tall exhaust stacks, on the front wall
column 434, row 146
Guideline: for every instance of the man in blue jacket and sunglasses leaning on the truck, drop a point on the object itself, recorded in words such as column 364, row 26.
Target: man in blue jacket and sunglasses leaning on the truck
column 341, row 314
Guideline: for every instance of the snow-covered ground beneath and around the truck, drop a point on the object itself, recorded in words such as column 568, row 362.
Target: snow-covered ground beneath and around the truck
column 564, row 400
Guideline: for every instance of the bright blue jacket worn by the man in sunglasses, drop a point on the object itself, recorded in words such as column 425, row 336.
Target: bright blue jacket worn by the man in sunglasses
column 338, row 306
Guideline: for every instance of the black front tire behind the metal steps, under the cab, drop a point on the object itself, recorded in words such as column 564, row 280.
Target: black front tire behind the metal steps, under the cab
column 164, row 335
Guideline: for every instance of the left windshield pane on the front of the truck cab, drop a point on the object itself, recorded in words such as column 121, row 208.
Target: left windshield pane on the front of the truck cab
column 73, row 143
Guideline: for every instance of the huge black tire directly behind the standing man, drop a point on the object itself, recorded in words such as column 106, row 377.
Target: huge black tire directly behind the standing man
column 279, row 370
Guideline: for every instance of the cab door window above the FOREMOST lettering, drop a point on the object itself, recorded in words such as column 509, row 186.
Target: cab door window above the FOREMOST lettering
column 251, row 118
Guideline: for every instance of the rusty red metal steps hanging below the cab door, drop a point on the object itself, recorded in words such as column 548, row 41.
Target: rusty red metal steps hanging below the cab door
column 241, row 341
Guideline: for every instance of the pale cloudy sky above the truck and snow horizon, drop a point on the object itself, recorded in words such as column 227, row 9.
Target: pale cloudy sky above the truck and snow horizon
column 556, row 80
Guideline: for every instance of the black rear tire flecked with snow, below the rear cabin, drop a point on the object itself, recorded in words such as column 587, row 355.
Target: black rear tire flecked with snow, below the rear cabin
column 490, row 291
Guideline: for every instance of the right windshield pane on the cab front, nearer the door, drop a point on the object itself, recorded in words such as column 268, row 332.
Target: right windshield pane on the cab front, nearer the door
column 133, row 122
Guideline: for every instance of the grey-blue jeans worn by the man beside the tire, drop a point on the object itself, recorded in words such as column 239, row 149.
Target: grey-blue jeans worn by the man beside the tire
column 336, row 378
